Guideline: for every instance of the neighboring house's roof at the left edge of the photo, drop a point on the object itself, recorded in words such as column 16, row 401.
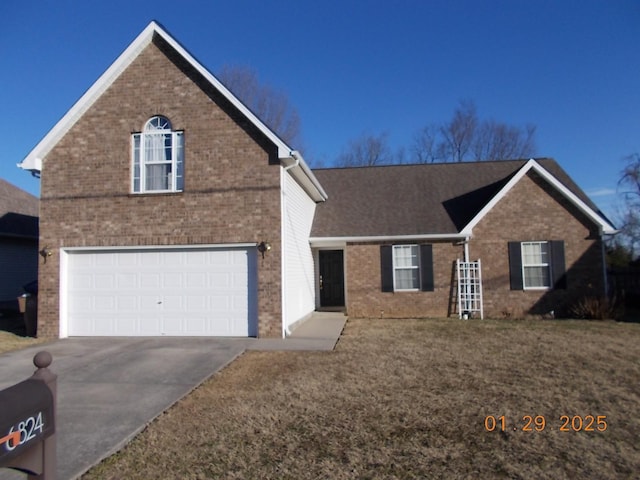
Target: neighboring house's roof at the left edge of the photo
column 18, row 212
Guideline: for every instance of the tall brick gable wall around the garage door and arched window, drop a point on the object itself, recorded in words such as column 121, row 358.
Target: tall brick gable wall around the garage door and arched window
column 231, row 184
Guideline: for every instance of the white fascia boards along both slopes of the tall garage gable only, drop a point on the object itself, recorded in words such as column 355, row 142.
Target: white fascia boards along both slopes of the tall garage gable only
column 33, row 161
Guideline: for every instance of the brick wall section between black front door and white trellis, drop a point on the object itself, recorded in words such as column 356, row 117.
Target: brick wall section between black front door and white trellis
column 364, row 295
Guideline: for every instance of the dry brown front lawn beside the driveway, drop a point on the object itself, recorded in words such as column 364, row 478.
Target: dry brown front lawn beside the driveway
column 407, row 399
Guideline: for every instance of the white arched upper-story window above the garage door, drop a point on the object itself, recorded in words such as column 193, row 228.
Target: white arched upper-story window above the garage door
column 158, row 158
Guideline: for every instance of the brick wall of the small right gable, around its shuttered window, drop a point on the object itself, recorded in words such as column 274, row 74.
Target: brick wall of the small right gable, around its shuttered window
column 534, row 211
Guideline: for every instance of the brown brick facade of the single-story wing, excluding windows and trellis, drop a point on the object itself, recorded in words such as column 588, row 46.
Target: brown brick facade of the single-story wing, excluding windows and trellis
column 531, row 211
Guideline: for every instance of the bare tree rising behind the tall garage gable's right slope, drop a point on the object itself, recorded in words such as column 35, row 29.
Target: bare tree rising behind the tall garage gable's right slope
column 270, row 105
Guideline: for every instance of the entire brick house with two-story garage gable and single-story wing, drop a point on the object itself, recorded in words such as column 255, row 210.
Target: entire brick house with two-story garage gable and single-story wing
column 169, row 208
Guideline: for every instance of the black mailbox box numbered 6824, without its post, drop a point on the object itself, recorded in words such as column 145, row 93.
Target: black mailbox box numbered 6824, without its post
column 26, row 417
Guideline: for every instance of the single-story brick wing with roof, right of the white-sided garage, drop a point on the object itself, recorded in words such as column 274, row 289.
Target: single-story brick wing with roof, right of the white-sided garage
column 402, row 229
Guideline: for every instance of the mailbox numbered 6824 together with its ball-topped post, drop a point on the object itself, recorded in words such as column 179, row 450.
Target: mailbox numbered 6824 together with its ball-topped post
column 27, row 423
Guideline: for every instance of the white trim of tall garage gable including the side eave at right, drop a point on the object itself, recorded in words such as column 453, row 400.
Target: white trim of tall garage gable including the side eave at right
column 33, row 161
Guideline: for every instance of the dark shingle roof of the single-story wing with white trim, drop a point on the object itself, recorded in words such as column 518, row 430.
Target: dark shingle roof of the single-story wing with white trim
column 428, row 200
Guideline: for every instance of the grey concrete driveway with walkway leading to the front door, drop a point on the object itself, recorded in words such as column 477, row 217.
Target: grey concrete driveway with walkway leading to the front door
column 109, row 389
